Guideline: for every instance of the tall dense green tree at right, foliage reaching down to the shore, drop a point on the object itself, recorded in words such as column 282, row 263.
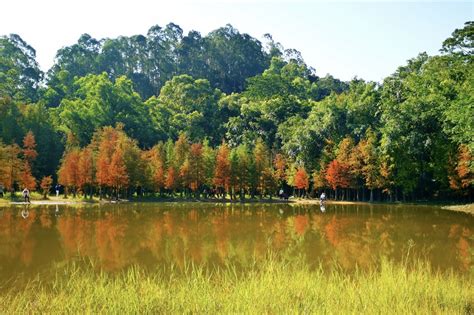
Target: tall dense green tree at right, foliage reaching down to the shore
column 412, row 119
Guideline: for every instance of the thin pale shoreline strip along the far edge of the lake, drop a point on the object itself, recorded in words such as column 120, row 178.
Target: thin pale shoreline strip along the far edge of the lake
column 466, row 208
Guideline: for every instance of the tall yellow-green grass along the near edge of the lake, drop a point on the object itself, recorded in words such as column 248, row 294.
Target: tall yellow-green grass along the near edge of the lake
column 274, row 287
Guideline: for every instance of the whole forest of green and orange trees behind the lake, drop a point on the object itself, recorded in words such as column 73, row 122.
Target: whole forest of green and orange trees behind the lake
column 226, row 115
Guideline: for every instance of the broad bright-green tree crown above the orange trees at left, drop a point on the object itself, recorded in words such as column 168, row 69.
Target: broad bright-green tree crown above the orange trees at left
column 99, row 102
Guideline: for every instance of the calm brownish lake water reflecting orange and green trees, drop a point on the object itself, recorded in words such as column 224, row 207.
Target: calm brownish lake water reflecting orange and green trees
column 115, row 236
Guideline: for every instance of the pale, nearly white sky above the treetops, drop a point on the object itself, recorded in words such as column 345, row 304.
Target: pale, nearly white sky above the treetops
column 347, row 39
